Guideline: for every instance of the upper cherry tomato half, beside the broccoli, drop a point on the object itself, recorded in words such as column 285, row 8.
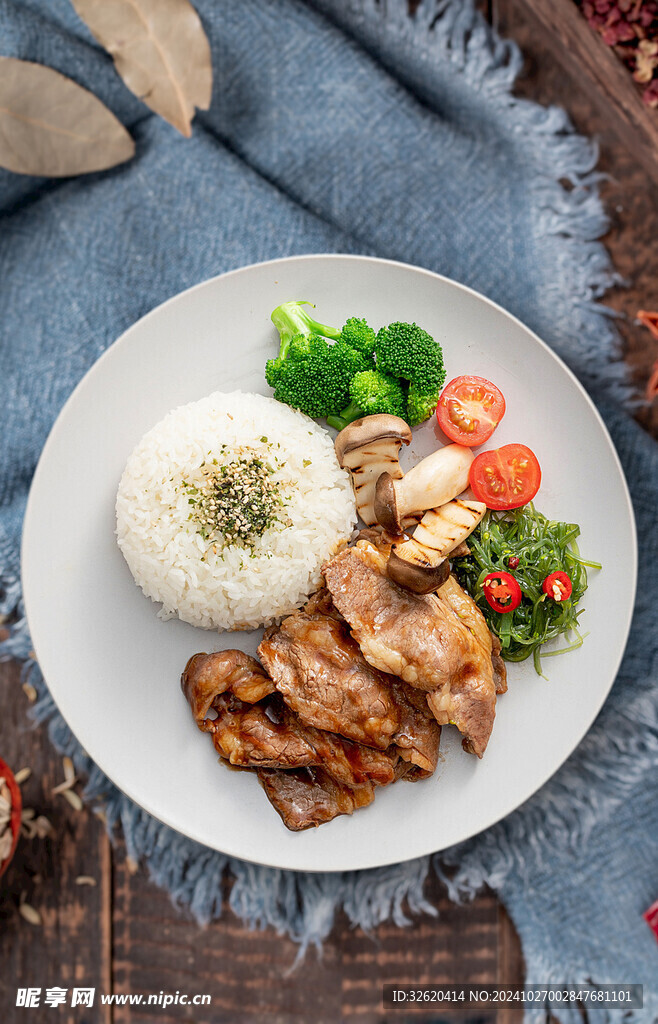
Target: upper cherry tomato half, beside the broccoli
column 470, row 410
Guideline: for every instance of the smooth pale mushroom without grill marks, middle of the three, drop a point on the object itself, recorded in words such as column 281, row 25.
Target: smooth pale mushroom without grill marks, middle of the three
column 436, row 481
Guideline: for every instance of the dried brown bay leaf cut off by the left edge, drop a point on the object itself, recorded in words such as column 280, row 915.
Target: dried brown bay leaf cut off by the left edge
column 52, row 127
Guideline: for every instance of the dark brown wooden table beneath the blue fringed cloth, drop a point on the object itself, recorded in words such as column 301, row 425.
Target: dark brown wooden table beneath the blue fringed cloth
column 122, row 934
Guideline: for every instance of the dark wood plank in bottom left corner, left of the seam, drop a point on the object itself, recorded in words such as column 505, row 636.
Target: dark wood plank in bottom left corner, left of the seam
column 72, row 948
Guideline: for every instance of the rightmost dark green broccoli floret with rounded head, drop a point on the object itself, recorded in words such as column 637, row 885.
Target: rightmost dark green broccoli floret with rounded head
column 407, row 351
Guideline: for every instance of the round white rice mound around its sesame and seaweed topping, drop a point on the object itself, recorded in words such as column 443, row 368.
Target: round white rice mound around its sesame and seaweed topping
column 230, row 590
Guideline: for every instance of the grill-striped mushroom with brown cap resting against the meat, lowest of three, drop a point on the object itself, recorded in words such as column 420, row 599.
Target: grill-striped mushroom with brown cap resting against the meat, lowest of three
column 421, row 564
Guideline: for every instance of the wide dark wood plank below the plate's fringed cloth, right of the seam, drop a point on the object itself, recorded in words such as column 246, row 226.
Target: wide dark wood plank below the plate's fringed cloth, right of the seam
column 249, row 976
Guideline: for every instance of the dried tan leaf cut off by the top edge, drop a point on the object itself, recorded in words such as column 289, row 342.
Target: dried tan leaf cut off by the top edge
column 161, row 52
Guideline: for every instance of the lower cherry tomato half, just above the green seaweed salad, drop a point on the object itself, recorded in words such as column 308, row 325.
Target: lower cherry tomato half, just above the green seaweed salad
column 506, row 478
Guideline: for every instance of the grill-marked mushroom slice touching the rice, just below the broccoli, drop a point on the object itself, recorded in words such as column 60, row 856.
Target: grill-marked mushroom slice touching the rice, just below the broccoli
column 370, row 448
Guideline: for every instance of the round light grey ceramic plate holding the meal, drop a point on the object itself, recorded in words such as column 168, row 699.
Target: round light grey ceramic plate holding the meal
column 114, row 668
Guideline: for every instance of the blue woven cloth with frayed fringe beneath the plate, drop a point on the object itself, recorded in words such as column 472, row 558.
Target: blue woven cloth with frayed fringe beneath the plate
column 348, row 126
